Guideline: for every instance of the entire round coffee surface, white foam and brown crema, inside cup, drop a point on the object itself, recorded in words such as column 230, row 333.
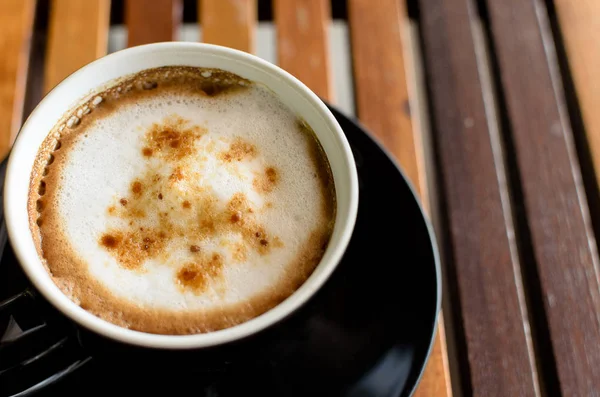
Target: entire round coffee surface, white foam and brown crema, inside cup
column 181, row 200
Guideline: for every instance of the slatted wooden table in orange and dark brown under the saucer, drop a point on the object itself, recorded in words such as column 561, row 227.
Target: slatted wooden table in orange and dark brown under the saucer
column 489, row 107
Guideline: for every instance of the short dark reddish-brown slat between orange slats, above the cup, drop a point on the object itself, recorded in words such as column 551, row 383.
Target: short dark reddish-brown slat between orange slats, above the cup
column 151, row 21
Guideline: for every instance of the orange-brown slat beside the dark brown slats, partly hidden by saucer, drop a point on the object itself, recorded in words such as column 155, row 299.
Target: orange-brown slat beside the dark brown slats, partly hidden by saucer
column 382, row 99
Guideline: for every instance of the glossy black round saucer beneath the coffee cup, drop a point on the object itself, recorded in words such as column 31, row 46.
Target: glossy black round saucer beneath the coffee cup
column 368, row 332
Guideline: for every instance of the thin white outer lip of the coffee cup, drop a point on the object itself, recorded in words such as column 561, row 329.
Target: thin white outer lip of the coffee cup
column 192, row 341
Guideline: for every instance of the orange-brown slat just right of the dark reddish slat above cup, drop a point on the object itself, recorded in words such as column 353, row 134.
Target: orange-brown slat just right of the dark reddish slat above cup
column 229, row 23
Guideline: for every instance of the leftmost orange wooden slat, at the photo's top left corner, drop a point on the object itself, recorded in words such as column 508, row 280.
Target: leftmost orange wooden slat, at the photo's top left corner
column 16, row 27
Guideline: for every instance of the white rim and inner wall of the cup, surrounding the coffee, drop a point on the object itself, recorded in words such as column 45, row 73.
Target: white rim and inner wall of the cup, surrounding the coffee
column 94, row 77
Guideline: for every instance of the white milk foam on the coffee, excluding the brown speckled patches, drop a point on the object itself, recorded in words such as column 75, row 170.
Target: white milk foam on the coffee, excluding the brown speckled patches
column 107, row 156
